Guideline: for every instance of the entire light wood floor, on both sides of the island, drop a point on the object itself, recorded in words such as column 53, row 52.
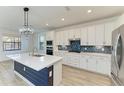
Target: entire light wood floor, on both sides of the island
column 71, row 77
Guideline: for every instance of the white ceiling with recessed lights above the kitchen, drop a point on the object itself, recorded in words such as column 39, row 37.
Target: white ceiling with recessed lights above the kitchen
column 11, row 17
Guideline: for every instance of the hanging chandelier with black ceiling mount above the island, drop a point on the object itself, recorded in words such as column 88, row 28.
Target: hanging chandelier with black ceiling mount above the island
column 26, row 29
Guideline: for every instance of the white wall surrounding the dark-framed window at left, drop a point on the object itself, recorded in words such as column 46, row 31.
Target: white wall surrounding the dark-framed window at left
column 25, row 46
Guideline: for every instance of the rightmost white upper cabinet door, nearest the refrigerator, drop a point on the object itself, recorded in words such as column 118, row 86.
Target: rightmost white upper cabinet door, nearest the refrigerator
column 109, row 27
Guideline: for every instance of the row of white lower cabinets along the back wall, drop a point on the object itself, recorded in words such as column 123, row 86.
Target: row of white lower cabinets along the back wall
column 94, row 63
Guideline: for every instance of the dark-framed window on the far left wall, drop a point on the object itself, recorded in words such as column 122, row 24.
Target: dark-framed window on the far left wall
column 11, row 43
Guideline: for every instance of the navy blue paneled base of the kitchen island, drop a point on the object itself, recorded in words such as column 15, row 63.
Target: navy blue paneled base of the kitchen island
column 38, row 78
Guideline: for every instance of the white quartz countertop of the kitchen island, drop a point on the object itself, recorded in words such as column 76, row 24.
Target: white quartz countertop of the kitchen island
column 36, row 63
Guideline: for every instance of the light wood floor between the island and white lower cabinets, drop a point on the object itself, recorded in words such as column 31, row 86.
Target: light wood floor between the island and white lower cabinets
column 77, row 77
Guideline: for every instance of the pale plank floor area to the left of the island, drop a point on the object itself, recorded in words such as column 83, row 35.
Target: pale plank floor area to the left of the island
column 7, row 76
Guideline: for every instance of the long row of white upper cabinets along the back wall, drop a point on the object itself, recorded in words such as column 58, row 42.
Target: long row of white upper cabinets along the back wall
column 98, row 34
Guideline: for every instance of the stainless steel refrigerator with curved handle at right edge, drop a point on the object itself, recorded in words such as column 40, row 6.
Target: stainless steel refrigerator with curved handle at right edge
column 117, row 66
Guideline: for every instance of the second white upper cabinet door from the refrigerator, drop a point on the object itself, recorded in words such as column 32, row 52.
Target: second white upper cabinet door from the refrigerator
column 99, row 34
